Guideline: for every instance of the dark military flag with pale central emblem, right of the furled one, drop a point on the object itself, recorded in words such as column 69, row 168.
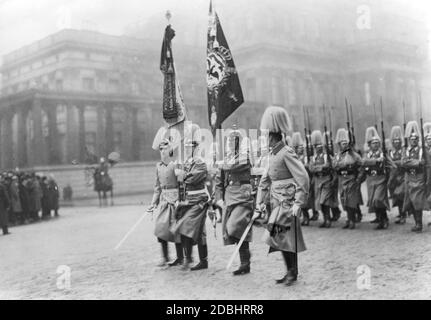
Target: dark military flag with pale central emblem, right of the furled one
column 224, row 89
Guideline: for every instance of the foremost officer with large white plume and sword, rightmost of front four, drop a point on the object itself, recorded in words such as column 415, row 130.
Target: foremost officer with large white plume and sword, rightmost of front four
column 287, row 182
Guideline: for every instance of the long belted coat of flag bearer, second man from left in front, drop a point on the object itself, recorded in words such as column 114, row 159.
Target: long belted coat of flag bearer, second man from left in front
column 192, row 215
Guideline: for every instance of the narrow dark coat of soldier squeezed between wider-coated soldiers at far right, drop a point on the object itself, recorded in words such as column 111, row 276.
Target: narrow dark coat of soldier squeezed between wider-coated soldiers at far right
column 396, row 183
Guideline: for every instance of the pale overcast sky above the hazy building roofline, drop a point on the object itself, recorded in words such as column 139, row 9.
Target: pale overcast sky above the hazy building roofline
column 25, row 21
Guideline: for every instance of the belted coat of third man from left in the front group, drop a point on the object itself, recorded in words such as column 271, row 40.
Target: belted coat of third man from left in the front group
column 238, row 198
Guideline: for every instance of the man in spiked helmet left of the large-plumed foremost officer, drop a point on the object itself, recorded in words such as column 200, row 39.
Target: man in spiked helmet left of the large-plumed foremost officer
column 233, row 189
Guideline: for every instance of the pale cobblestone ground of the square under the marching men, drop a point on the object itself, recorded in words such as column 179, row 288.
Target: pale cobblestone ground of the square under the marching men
column 84, row 239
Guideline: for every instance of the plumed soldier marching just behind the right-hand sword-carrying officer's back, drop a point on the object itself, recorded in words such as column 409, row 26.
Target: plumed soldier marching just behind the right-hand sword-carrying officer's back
column 320, row 168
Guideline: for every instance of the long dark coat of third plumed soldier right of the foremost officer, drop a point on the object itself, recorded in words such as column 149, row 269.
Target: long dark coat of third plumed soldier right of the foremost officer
column 376, row 182
